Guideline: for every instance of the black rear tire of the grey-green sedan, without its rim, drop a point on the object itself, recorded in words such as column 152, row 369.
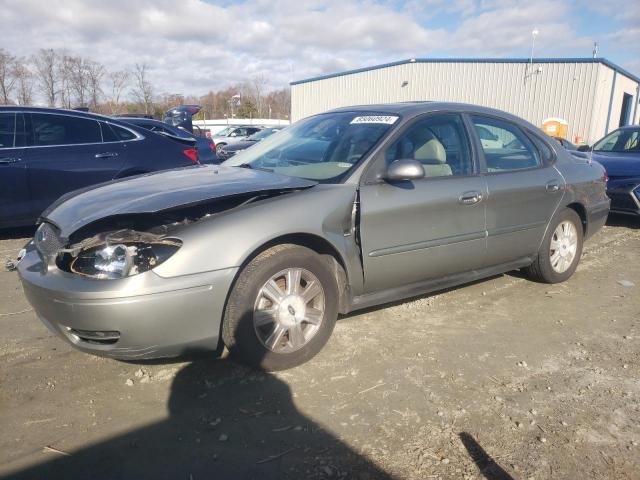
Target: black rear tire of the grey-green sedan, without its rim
column 541, row 269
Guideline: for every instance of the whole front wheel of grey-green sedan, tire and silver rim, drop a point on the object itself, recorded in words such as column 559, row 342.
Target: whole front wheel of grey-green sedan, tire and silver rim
column 282, row 308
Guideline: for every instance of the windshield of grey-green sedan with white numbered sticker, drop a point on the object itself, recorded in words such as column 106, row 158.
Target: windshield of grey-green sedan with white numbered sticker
column 324, row 147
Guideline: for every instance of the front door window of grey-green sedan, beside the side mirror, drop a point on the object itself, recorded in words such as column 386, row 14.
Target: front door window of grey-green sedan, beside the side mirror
column 438, row 142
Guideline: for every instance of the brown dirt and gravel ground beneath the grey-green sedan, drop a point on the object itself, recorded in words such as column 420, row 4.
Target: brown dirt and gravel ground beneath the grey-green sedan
column 500, row 379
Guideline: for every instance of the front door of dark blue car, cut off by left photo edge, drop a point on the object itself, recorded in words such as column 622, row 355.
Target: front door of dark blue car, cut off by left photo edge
column 14, row 193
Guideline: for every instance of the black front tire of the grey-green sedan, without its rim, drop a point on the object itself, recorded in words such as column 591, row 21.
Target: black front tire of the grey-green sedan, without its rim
column 238, row 332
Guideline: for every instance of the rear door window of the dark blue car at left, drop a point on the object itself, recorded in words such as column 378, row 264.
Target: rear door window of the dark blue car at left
column 51, row 130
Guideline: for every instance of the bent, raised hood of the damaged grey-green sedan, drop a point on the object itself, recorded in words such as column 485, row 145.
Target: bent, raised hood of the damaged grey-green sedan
column 162, row 190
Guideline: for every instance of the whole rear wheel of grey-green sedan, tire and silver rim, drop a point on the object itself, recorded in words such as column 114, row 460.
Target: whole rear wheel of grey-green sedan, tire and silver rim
column 561, row 249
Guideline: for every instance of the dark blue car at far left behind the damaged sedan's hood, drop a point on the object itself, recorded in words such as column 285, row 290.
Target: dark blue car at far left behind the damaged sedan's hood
column 45, row 153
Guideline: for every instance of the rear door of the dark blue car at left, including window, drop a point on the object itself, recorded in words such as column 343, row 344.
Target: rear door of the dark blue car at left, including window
column 67, row 153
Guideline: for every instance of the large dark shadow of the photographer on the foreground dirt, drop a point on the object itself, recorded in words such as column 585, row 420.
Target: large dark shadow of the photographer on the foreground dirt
column 224, row 421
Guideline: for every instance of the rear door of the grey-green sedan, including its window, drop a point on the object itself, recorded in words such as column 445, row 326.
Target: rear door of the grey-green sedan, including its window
column 524, row 188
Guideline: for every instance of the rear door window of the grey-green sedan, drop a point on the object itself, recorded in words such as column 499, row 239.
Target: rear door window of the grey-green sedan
column 506, row 147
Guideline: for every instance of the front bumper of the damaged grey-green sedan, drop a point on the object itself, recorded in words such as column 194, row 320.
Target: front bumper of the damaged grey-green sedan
column 140, row 317
